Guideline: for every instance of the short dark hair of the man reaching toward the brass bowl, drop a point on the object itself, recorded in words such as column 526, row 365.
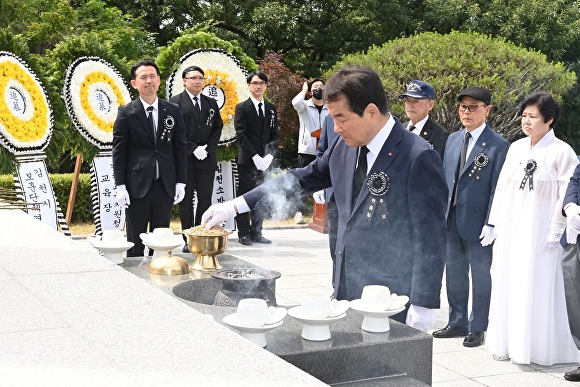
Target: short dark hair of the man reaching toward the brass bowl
column 360, row 85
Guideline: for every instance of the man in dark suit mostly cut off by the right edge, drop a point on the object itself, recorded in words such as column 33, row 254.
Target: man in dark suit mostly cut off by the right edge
column 571, row 262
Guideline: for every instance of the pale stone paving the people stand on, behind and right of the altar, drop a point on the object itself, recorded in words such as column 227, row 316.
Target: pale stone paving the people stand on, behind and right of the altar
column 302, row 256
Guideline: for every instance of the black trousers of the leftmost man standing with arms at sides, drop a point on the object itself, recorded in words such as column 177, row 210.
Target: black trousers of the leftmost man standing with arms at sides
column 154, row 209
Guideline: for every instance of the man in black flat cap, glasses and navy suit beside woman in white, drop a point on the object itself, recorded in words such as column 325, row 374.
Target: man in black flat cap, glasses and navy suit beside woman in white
column 472, row 162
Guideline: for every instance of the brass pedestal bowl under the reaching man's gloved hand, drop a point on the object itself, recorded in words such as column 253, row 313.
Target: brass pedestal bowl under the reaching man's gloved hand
column 206, row 247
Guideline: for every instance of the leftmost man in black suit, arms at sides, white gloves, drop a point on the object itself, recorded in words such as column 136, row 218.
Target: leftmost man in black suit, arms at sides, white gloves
column 149, row 156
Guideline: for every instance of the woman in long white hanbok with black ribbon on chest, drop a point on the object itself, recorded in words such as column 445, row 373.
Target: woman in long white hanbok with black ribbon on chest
column 528, row 319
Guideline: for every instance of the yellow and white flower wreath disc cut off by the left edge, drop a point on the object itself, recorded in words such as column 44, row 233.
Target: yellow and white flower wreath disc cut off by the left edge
column 22, row 128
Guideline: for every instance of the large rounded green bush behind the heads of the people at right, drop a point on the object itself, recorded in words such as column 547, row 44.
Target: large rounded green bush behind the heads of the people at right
column 457, row 60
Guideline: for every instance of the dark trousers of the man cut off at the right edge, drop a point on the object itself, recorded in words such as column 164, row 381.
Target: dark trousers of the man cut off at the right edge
column 571, row 273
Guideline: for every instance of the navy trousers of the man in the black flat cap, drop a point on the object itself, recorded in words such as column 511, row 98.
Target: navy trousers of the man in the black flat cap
column 461, row 256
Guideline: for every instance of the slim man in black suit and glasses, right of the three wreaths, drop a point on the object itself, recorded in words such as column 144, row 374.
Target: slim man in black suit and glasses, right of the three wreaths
column 256, row 122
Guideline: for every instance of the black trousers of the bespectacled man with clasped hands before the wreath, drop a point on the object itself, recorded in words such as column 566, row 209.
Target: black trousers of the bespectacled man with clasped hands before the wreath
column 199, row 181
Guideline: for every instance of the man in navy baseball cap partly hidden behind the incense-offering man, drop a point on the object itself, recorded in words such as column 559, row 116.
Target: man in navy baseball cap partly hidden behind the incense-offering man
column 418, row 102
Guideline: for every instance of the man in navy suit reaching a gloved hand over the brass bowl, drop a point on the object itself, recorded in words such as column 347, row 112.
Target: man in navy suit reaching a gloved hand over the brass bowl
column 392, row 232
